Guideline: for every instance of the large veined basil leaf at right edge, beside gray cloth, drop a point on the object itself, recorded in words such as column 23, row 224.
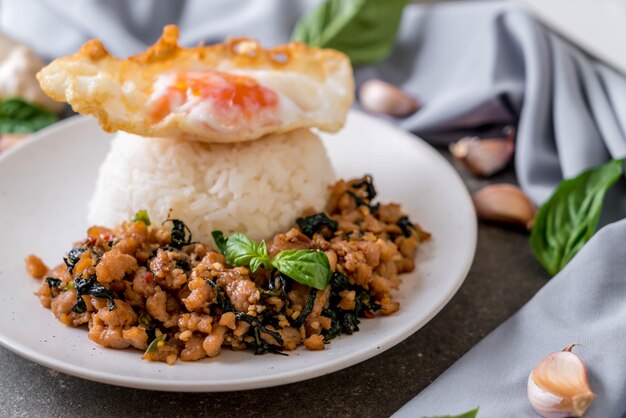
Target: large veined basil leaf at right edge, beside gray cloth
column 570, row 217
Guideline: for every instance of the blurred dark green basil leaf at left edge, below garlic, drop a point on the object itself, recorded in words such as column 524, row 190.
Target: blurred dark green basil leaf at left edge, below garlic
column 20, row 117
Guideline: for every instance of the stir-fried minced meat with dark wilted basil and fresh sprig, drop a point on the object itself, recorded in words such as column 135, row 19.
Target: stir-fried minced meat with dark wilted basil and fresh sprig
column 155, row 289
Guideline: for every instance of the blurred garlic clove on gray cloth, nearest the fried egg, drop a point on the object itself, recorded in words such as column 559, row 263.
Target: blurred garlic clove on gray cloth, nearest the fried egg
column 380, row 97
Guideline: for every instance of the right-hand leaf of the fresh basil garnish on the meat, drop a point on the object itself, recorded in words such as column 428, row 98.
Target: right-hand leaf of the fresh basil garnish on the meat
column 308, row 267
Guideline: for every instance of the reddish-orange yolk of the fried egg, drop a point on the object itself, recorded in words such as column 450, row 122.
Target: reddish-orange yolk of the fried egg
column 230, row 95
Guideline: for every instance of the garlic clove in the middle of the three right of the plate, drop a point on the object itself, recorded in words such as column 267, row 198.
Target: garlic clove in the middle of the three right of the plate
column 483, row 157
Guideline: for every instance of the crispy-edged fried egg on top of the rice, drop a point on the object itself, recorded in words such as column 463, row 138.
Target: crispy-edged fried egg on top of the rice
column 231, row 92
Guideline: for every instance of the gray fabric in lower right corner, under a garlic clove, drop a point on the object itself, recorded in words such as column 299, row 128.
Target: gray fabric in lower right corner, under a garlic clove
column 584, row 304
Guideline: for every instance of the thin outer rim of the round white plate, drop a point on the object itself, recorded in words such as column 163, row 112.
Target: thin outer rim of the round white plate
column 291, row 376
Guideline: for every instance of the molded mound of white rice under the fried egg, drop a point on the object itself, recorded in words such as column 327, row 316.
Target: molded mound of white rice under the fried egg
column 258, row 187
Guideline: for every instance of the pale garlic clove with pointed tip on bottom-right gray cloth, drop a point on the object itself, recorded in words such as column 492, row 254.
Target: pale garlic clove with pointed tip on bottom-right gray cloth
column 558, row 386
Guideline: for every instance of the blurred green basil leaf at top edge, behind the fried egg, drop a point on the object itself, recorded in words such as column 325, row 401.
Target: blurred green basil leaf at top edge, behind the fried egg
column 365, row 30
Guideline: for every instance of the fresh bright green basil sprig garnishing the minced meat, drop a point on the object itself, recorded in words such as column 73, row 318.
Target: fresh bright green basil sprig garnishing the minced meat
column 307, row 267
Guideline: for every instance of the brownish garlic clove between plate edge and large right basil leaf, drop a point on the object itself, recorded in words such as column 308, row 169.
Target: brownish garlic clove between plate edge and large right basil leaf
column 504, row 203
